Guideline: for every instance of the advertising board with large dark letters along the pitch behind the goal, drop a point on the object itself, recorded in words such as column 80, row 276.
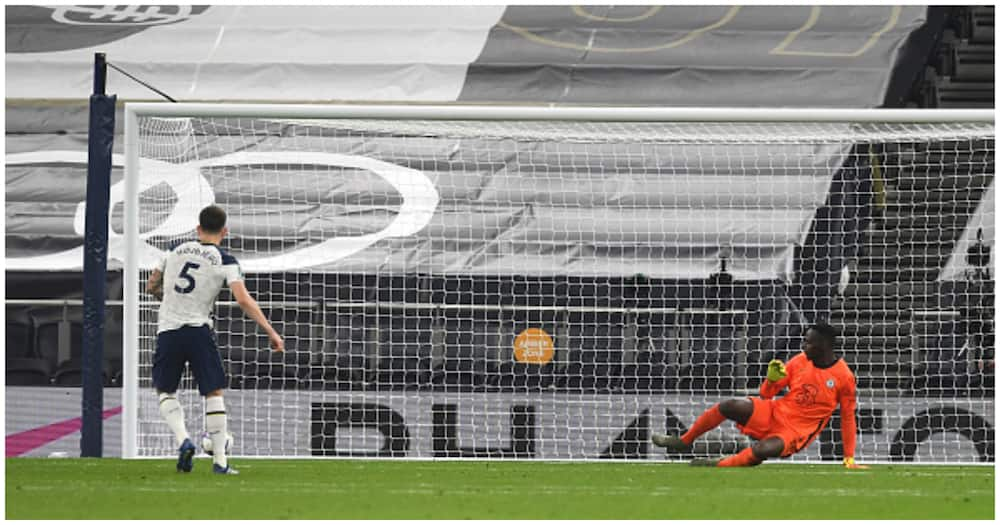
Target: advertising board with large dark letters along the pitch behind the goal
column 524, row 426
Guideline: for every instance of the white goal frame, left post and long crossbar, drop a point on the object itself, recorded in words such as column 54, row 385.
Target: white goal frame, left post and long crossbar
column 132, row 112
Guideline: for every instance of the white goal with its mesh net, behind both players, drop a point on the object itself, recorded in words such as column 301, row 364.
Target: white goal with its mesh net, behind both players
column 560, row 284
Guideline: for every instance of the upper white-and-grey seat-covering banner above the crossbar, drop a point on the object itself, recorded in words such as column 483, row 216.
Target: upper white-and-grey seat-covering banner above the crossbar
column 827, row 56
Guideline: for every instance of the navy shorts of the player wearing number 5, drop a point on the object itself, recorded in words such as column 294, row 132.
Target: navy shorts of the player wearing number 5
column 187, row 344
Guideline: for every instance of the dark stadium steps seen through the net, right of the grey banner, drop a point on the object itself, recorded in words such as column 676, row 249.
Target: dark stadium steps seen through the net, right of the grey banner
column 903, row 252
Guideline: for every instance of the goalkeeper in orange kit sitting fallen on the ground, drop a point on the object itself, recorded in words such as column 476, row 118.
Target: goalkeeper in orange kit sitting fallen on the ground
column 817, row 381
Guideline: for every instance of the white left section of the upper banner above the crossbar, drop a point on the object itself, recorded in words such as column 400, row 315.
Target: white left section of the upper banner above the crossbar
column 257, row 52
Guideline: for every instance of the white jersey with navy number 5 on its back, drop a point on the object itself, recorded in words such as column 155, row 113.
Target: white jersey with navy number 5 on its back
column 193, row 274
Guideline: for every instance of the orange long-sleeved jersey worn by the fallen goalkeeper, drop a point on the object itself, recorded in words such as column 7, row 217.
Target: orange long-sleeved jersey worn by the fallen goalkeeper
column 813, row 395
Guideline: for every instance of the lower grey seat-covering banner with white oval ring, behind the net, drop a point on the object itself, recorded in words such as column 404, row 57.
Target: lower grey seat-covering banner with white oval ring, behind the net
column 448, row 205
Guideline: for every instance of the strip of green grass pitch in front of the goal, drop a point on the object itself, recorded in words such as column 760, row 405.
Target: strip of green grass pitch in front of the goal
column 359, row 489
